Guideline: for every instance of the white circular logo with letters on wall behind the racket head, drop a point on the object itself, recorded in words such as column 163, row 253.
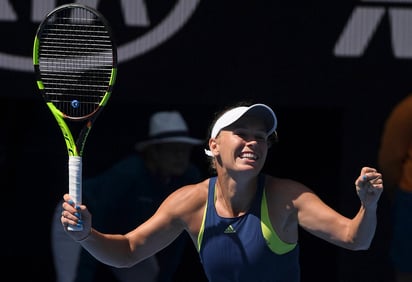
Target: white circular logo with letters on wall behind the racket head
column 135, row 14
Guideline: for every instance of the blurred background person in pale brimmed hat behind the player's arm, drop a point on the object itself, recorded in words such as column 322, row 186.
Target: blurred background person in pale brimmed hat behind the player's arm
column 127, row 194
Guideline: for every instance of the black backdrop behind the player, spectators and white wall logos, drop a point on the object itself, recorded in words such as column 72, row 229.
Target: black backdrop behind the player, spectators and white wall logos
column 330, row 111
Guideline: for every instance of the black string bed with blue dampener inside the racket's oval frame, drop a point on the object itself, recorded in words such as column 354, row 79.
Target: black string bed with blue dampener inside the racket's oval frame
column 75, row 62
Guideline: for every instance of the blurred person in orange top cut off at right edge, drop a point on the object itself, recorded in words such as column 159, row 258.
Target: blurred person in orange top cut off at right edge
column 395, row 161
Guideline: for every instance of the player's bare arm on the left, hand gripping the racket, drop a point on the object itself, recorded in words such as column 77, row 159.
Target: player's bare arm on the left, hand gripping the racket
column 145, row 240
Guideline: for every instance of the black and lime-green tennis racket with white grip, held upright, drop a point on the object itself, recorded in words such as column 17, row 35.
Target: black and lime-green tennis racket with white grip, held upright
column 75, row 62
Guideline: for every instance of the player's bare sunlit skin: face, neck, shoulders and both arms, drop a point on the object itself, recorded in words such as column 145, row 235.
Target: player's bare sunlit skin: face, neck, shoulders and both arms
column 240, row 151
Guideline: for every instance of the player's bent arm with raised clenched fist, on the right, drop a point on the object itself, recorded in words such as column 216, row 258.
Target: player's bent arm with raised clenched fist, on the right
column 355, row 234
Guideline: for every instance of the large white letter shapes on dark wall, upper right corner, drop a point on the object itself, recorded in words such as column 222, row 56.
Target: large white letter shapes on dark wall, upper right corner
column 364, row 21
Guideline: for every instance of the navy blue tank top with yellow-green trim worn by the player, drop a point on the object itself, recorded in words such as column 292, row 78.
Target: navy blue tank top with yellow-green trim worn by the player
column 235, row 249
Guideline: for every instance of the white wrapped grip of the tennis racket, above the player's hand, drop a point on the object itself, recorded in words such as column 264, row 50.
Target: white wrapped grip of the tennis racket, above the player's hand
column 75, row 184
